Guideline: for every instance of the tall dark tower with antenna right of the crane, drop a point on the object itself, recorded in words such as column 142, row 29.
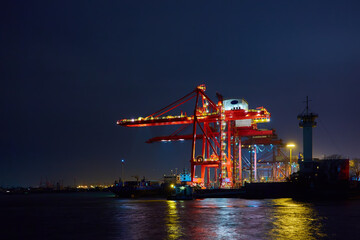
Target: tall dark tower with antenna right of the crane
column 307, row 122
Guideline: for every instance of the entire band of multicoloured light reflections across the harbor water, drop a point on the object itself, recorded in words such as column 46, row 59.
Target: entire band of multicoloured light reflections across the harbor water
column 218, row 219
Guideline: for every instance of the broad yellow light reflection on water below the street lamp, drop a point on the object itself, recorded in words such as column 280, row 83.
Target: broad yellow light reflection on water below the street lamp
column 294, row 220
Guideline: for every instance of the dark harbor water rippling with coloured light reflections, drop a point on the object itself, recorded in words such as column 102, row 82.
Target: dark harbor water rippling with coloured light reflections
column 102, row 216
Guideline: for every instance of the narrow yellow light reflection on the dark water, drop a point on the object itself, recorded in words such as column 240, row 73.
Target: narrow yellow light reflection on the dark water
column 172, row 221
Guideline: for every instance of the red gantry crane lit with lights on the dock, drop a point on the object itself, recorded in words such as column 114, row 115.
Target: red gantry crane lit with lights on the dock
column 219, row 127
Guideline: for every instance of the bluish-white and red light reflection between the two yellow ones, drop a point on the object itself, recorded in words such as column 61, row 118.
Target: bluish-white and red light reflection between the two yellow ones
column 229, row 219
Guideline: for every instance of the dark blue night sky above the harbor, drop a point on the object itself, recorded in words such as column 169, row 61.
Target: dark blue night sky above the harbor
column 69, row 70
